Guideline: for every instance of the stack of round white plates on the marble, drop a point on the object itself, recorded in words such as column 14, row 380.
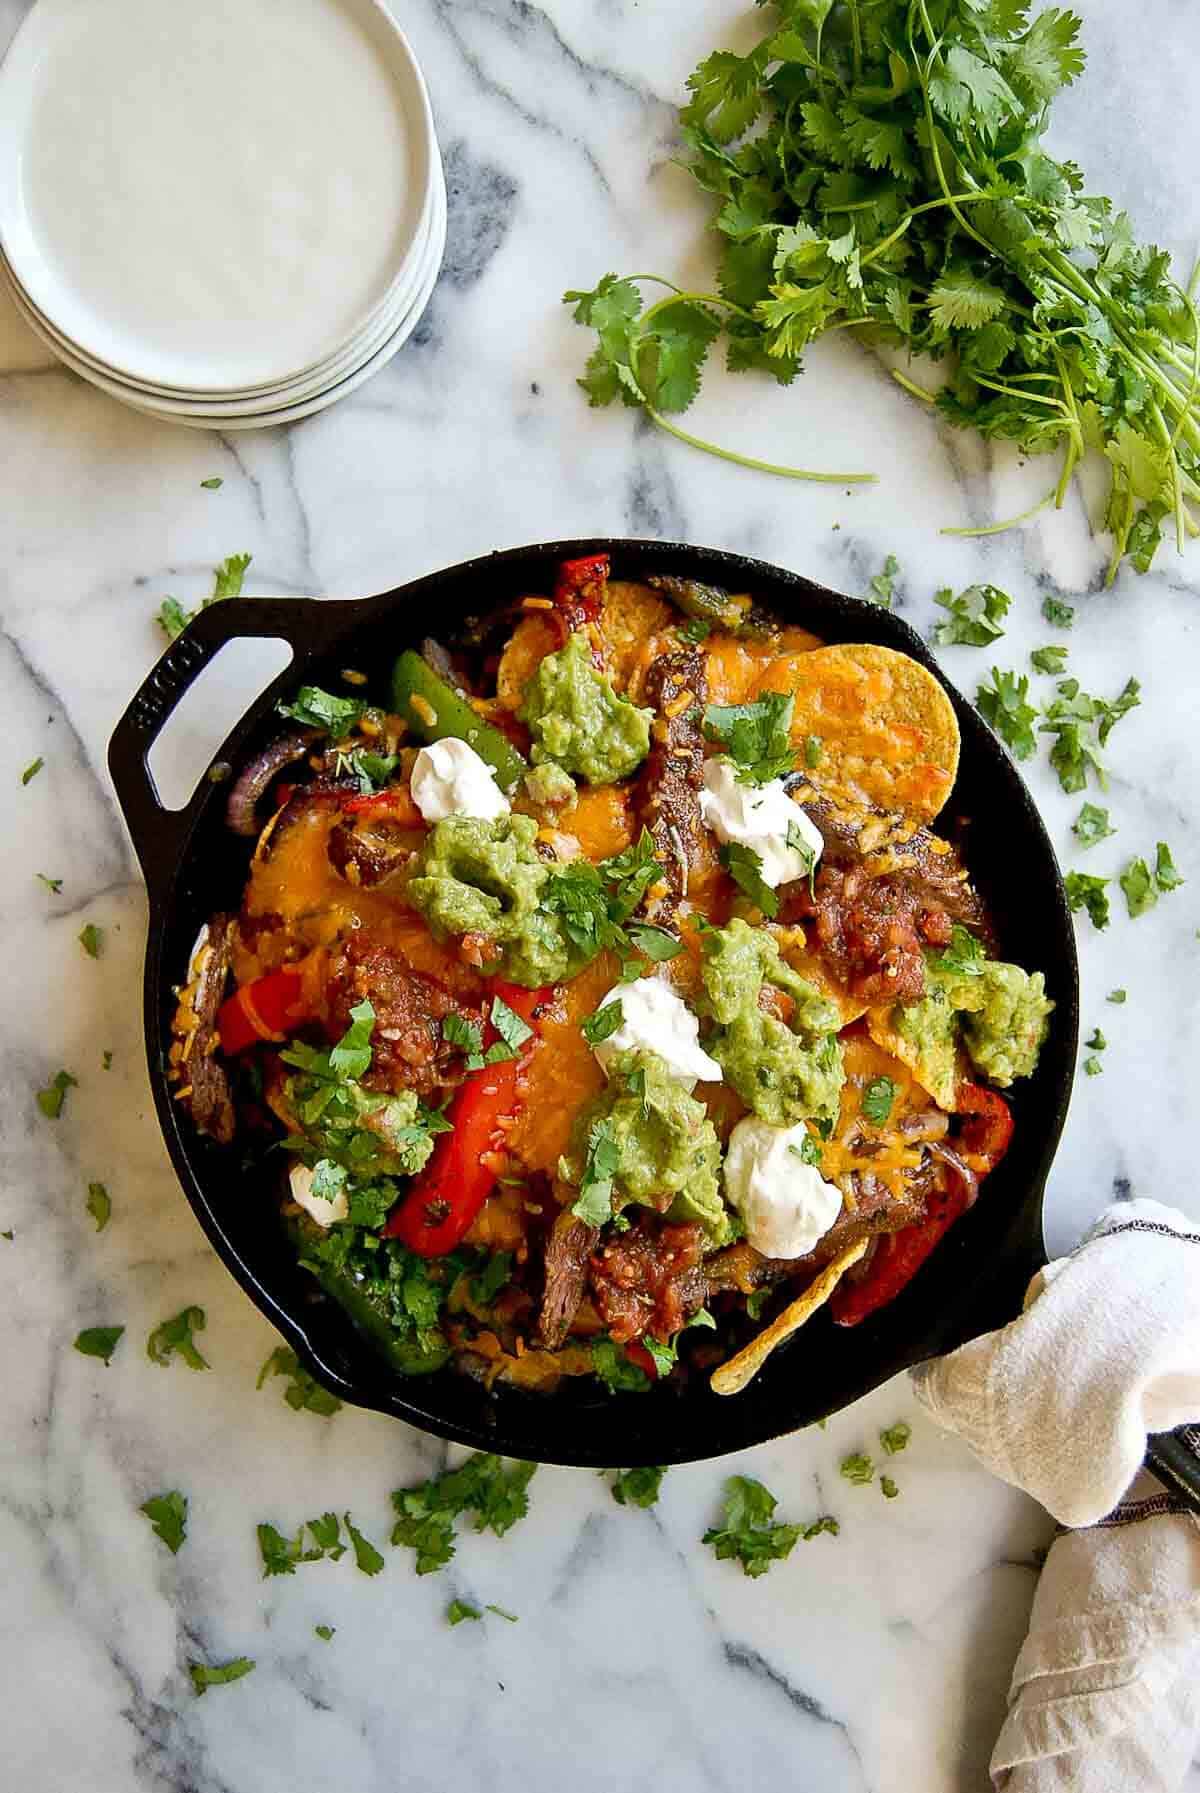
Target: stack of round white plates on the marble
column 227, row 214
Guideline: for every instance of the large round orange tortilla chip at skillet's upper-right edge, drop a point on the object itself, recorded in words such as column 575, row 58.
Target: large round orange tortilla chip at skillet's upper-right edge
column 887, row 729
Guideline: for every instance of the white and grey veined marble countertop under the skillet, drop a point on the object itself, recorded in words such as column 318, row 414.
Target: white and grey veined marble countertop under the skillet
column 873, row 1661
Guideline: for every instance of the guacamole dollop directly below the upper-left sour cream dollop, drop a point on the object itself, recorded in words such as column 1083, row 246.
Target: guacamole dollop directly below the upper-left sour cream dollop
column 485, row 878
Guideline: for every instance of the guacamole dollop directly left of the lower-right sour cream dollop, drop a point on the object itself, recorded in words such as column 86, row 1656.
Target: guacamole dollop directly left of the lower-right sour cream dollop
column 666, row 1148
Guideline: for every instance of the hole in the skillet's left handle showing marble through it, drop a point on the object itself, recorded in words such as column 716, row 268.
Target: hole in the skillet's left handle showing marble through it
column 232, row 680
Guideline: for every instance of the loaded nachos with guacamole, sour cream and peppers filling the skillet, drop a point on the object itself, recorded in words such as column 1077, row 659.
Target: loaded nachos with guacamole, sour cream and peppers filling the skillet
column 602, row 998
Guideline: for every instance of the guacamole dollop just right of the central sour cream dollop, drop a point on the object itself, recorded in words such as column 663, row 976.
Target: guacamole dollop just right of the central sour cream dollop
column 785, row 1071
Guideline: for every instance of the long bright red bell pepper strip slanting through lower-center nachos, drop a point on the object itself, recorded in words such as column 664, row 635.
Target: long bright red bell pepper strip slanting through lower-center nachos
column 449, row 1193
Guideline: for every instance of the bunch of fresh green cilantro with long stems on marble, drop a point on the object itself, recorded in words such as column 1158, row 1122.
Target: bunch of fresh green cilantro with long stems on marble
column 878, row 166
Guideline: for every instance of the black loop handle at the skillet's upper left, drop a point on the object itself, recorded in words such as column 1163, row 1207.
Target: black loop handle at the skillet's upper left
column 159, row 831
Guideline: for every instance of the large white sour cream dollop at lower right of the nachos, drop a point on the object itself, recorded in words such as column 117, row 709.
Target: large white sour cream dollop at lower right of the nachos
column 787, row 1204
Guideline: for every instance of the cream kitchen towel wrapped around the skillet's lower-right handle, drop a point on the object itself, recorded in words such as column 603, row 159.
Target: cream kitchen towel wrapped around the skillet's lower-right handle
column 1106, row 1695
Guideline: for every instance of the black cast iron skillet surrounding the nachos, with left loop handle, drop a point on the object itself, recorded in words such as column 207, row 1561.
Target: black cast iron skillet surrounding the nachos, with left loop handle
column 195, row 867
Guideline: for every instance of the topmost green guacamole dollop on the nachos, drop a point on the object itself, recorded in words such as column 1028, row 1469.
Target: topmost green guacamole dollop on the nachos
column 580, row 723
